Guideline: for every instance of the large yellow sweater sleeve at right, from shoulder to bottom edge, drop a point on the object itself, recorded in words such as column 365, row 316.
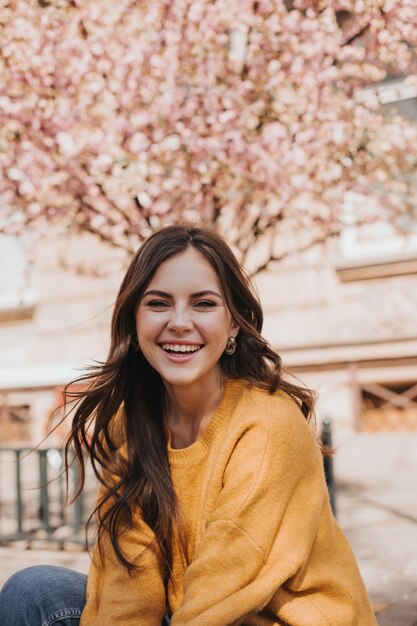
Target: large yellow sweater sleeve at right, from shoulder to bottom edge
column 271, row 542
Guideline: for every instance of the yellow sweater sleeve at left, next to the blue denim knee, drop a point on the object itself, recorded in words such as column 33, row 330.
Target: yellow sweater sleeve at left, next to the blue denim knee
column 116, row 597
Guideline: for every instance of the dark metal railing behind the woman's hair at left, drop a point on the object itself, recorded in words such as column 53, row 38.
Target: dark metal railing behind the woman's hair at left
column 33, row 503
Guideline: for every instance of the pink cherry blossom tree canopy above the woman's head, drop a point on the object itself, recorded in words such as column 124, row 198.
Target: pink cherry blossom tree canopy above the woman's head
column 250, row 116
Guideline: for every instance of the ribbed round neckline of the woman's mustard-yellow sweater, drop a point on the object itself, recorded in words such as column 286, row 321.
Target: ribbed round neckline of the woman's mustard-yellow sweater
column 199, row 449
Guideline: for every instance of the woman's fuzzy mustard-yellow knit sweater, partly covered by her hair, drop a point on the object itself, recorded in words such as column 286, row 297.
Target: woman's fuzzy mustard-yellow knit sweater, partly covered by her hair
column 263, row 547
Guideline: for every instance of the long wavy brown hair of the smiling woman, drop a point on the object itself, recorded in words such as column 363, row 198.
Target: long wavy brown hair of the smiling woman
column 123, row 397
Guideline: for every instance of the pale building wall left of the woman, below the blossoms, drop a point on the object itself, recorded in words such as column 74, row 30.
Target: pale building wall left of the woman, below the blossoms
column 55, row 310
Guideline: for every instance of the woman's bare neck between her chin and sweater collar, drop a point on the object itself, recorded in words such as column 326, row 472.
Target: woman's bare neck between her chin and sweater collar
column 189, row 409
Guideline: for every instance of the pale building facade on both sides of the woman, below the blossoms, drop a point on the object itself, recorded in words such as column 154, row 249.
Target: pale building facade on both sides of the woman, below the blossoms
column 342, row 316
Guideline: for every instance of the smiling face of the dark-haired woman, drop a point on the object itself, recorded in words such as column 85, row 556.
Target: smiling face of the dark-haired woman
column 182, row 321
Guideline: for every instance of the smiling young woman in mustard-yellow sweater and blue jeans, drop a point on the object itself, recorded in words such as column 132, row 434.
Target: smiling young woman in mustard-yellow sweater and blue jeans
column 213, row 508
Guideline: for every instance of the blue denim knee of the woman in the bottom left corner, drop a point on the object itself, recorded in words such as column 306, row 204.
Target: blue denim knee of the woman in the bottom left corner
column 43, row 595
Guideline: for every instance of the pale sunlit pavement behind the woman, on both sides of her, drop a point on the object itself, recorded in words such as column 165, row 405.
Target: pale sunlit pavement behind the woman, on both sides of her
column 377, row 509
